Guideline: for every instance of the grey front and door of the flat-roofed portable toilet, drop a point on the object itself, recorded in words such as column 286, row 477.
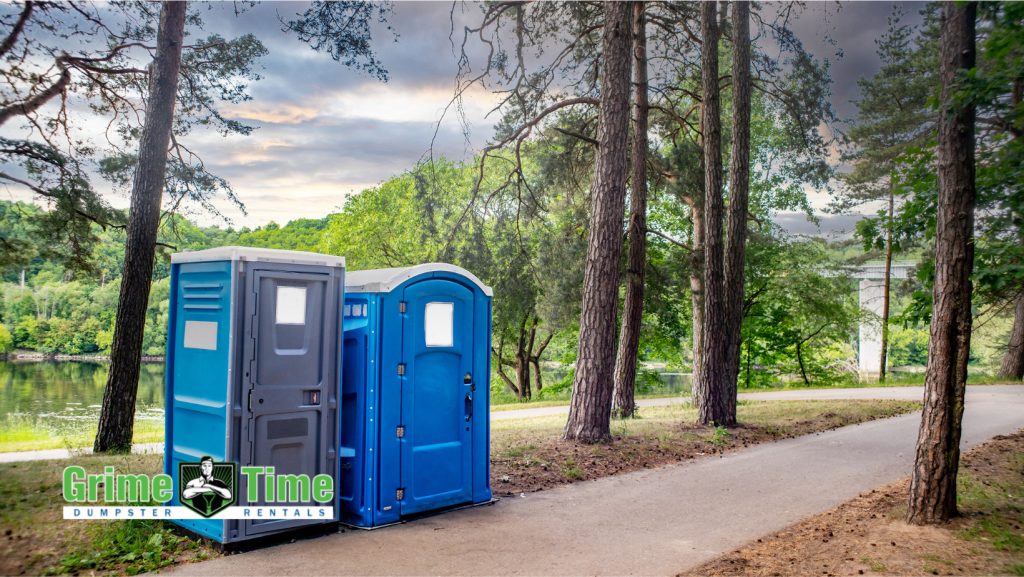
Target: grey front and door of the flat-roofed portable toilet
column 290, row 374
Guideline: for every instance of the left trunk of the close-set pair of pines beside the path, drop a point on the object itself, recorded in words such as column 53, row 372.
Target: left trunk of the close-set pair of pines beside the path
column 710, row 392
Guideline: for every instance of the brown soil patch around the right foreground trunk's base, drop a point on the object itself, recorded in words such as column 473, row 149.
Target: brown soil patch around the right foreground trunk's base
column 868, row 535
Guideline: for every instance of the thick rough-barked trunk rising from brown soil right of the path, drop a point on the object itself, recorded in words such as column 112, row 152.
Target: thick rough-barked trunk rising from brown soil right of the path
column 933, row 486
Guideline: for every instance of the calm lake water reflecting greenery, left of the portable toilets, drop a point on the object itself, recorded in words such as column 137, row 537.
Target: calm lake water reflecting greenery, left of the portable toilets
column 64, row 398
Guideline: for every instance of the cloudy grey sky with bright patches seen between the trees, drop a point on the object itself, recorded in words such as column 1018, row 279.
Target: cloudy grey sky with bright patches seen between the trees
column 326, row 132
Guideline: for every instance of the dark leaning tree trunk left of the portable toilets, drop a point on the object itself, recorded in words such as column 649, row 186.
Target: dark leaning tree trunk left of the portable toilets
column 117, row 418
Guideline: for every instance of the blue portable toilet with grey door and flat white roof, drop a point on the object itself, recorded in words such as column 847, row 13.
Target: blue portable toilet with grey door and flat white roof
column 252, row 372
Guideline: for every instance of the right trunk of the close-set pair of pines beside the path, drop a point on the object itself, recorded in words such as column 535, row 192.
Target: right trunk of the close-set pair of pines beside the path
column 740, row 184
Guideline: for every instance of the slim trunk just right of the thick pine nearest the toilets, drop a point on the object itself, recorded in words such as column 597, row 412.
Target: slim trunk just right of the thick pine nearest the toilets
column 636, row 261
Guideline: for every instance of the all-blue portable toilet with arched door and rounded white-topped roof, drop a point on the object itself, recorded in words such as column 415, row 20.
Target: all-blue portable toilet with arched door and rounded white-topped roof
column 415, row 435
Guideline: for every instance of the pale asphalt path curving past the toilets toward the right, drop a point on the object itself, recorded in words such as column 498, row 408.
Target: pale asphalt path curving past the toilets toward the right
column 655, row 522
